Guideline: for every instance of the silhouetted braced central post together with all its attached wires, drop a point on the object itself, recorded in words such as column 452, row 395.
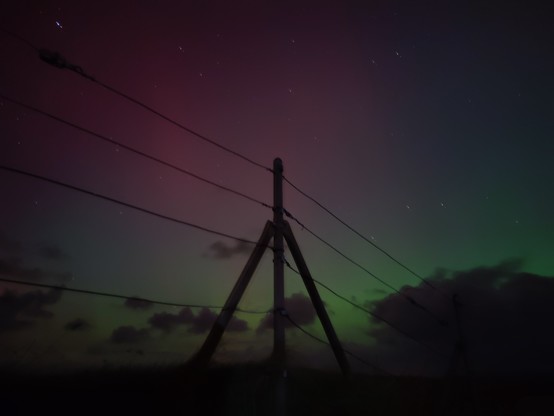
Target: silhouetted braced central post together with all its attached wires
column 278, row 230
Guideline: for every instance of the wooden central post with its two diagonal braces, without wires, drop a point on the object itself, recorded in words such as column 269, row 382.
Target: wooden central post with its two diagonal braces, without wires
column 279, row 230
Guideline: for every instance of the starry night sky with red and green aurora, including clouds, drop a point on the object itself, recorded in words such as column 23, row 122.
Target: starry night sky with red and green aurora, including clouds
column 427, row 126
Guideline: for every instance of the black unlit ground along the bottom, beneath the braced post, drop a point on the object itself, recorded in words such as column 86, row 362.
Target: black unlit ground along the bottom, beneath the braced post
column 248, row 390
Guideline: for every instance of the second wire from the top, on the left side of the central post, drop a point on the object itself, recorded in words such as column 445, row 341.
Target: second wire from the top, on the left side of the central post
column 132, row 149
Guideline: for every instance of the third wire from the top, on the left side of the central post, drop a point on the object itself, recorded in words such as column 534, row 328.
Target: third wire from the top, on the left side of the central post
column 126, row 204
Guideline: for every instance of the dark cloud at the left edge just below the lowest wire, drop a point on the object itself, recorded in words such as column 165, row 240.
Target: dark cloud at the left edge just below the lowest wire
column 19, row 311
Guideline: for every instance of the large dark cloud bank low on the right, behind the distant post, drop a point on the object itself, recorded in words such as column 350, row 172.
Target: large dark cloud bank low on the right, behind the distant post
column 506, row 318
